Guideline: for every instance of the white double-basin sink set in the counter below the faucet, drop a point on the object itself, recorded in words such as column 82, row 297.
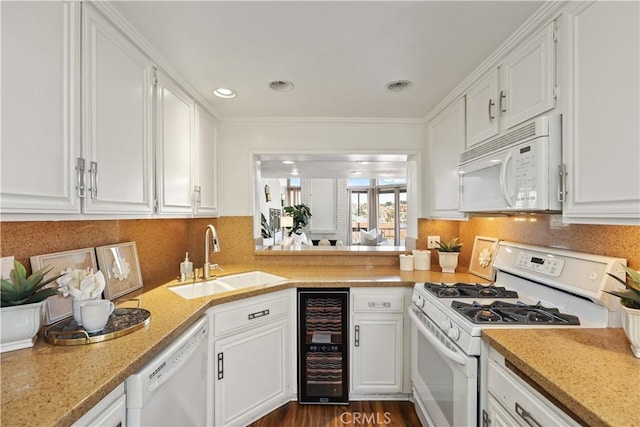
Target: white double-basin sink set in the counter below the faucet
column 226, row 283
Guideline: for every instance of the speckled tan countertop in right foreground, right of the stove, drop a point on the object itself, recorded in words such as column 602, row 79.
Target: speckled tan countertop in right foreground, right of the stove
column 592, row 372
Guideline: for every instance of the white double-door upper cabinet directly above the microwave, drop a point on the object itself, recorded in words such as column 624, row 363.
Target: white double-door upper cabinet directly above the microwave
column 520, row 88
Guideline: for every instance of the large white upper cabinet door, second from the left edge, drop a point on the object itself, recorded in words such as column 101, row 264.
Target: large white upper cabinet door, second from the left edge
column 117, row 89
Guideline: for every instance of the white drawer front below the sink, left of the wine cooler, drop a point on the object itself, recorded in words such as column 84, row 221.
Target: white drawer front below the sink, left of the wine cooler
column 249, row 313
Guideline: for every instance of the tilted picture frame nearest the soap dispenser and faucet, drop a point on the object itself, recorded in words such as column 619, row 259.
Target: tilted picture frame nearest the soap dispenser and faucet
column 121, row 268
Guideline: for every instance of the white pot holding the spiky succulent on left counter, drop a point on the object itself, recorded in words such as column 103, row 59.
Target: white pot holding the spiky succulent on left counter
column 20, row 325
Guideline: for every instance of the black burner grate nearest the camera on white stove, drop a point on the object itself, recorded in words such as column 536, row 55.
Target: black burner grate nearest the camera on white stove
column 505, row 312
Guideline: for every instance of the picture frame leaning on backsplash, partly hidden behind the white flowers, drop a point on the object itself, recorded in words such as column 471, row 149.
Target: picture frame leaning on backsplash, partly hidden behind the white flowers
column 59, row 307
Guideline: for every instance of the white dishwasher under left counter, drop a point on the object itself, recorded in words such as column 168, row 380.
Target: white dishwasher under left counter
column 172, row 388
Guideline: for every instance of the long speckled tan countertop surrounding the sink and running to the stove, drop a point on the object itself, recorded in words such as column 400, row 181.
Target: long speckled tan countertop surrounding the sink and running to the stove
column 55, row 385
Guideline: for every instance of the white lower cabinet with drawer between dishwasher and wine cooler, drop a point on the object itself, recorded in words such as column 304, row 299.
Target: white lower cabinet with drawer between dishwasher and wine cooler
column 252, row 356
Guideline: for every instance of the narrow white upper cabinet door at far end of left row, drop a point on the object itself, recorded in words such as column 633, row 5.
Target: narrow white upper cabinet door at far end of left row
column 206, row 166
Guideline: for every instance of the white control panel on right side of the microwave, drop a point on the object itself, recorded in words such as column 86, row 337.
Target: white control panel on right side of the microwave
column 526, row 175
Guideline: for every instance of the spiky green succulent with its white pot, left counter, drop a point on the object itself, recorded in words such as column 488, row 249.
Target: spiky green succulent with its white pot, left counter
column 23, row 300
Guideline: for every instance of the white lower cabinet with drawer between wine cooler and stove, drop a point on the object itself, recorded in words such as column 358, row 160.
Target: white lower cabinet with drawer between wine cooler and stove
column 379, row 364
